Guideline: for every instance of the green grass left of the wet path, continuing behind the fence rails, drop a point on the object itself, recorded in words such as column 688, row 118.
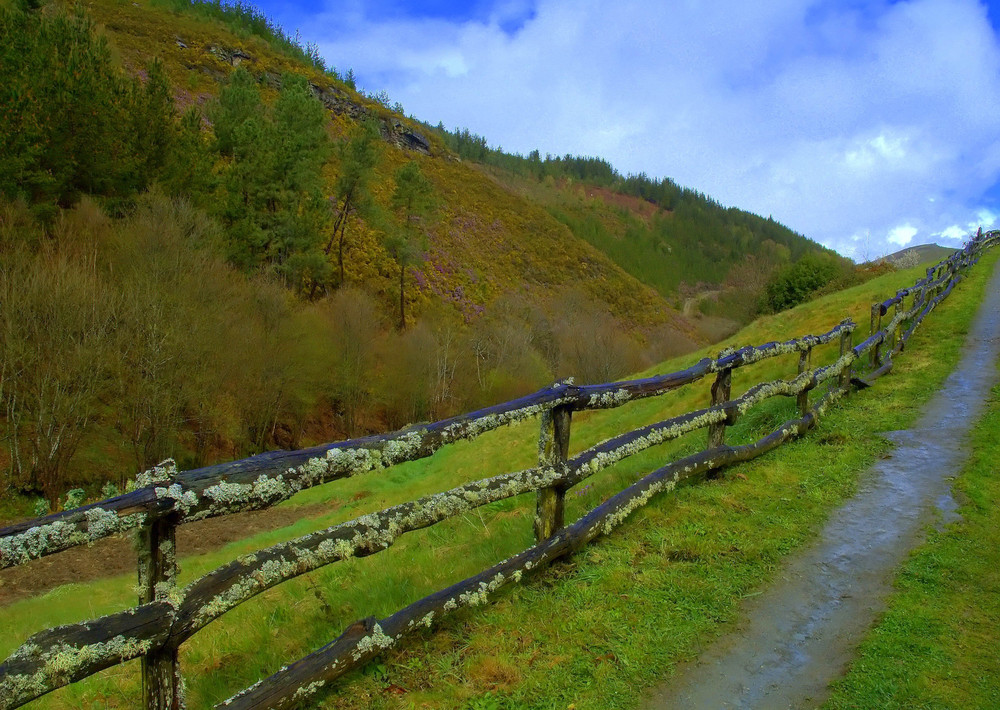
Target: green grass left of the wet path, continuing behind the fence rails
column 592, row 631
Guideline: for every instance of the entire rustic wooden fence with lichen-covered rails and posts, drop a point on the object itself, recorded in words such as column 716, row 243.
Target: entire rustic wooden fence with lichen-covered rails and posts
column 168, row 615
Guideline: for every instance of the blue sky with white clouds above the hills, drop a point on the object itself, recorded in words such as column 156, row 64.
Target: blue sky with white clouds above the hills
column 866, row 125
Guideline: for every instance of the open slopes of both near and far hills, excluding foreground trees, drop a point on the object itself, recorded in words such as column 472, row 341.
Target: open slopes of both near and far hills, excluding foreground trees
column 663, row 235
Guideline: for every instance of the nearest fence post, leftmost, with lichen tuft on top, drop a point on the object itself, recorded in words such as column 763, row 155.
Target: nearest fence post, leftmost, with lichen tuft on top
column 161, row 678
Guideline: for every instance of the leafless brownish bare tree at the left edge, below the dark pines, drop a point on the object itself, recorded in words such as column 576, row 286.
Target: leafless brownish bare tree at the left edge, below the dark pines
column 58, row 324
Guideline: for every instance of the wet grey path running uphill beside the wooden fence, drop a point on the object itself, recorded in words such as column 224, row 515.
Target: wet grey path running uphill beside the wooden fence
column 800, row 634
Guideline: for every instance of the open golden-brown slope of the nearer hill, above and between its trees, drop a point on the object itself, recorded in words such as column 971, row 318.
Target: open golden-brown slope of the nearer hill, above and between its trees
column 487, row 240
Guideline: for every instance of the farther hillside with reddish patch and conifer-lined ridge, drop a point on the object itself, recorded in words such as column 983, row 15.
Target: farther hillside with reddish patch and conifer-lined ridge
column 670, row 237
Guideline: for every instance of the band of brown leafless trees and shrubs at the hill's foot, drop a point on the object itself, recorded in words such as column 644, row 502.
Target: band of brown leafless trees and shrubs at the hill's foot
column 127, row 341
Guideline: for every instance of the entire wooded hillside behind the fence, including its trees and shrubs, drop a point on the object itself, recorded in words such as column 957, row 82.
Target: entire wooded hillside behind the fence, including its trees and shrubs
column 242, row 252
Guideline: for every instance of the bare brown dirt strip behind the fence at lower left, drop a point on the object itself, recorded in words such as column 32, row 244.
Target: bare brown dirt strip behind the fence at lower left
column 116, row 555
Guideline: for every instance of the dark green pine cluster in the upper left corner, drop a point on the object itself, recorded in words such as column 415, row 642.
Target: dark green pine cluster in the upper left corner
column 70, row 121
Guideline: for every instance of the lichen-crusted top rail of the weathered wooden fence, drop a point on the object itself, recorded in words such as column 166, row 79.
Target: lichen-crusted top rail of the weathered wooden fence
column 267, row 479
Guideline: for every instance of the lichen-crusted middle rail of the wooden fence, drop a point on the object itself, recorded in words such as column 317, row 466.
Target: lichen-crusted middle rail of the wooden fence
column 169, row 622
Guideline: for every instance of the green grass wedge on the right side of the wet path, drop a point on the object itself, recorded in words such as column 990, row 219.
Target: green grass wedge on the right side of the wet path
column 935, row 647
